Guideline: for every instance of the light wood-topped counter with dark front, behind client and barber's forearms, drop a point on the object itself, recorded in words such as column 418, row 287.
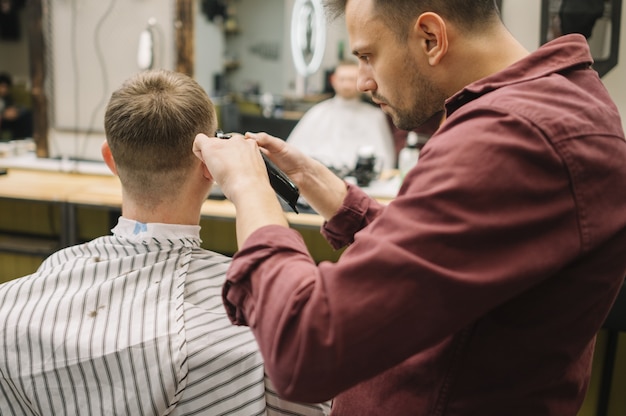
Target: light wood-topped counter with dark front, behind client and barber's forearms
column 50, row 212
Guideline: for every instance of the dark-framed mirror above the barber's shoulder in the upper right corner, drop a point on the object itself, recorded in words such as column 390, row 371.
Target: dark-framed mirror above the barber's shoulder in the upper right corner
column 598, row 20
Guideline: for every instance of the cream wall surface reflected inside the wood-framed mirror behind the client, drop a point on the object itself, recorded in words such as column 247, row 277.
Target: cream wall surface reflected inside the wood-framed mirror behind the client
column 93, row 49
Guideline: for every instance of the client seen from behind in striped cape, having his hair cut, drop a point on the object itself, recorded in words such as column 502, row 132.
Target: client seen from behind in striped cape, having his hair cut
column 133, row 323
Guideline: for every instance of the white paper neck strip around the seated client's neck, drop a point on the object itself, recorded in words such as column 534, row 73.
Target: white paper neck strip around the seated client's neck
column 139, row 232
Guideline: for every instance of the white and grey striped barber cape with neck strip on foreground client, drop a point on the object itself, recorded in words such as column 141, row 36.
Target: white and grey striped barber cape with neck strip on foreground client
column 131, row 324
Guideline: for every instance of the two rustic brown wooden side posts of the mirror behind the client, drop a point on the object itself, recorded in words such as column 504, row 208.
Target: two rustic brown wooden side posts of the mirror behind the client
column 184, row 37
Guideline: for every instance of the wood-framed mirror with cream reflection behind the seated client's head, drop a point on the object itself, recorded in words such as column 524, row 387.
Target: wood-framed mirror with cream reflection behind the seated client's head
column 54, row 72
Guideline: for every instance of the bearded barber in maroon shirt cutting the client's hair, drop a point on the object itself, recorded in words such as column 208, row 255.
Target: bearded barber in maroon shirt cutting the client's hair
column 480, row 289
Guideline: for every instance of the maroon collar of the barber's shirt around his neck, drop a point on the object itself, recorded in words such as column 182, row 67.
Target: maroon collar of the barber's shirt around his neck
column 563, row 53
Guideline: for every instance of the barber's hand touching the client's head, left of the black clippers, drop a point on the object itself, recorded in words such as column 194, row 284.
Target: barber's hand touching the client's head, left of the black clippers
column 235, row 164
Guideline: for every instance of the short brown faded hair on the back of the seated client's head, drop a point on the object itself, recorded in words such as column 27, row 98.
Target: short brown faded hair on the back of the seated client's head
column 150, row 123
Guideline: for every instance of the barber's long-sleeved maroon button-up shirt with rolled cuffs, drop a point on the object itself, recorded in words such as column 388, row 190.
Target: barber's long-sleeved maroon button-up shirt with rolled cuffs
column 479, row 290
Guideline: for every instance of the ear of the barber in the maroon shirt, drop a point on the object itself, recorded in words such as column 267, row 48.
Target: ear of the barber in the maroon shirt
column 432, row 33
